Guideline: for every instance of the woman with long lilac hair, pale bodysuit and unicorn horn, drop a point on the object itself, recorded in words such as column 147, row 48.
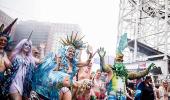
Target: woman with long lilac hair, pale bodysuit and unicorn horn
column 18, row 83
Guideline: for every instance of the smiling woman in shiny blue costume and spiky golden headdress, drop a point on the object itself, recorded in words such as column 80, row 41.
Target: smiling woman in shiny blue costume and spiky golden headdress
column 67, row 64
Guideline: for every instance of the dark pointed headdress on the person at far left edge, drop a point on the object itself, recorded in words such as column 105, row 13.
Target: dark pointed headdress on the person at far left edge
column 6, row 33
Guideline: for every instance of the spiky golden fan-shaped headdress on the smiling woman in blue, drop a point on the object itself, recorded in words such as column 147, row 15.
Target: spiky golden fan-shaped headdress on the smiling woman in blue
column 74, row 40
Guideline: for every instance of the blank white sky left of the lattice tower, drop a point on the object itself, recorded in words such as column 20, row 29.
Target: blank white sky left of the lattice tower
column 98, row 19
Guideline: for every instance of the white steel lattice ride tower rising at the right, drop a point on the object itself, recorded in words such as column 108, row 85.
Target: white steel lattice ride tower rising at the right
column 147, row 24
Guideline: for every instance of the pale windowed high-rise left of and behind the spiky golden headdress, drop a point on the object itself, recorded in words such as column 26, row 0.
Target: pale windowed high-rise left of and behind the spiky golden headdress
column 59, row 31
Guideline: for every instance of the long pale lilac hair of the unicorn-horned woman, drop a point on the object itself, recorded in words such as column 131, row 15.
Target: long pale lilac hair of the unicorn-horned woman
column 18, row 50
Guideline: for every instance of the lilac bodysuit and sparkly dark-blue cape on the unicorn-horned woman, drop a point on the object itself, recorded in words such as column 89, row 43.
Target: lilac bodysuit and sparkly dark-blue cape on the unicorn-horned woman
column 20, row 77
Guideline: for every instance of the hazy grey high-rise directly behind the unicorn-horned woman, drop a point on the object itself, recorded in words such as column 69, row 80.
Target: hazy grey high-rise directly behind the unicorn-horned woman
column 40, row 31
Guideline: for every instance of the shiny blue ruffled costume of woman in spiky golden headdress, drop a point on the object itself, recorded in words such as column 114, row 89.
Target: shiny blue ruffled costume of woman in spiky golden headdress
column 42, row 75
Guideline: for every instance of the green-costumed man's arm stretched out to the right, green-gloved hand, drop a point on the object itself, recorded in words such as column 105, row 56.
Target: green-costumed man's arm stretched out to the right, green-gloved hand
column 135, row 75
